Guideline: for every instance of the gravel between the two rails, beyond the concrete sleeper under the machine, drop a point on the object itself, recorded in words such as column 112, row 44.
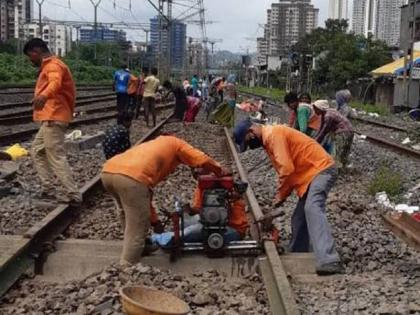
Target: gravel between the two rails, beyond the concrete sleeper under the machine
column 100, row 220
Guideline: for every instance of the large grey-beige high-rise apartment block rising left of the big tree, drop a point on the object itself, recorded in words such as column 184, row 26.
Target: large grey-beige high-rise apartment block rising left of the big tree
column 287, row 22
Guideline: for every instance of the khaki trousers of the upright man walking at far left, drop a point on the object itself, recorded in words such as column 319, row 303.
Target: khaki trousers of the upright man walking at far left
column 49, row 156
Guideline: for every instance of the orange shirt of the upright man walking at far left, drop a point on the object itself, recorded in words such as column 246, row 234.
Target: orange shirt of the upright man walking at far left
column 56, row 83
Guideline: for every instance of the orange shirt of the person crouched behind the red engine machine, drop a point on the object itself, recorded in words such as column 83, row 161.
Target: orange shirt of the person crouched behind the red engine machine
column 237, row 216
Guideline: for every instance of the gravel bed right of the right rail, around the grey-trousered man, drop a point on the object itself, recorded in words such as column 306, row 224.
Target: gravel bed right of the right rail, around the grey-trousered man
column 382, row 272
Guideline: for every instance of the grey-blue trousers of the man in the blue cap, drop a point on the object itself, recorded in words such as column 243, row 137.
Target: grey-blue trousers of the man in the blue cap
column 309, row 220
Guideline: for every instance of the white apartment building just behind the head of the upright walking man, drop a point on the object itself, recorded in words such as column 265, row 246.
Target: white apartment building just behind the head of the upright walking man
column 57, row 36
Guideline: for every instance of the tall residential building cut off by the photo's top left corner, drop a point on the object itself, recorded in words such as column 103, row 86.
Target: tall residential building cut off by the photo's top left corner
column 13, row 15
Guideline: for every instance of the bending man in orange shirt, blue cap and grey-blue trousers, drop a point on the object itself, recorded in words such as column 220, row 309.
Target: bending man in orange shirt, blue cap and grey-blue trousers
column 303, row 166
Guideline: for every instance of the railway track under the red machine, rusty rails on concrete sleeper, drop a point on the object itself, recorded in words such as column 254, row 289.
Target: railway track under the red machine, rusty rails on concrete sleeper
column 27, row 251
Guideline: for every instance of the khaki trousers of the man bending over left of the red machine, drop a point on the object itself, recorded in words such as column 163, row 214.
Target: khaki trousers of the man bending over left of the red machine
column 133, row 205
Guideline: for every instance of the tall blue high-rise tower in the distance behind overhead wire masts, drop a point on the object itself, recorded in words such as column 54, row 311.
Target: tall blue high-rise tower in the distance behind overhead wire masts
column 159, row 42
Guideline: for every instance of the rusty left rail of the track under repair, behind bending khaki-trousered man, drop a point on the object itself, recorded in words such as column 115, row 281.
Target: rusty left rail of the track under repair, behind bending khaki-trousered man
column 31, row 244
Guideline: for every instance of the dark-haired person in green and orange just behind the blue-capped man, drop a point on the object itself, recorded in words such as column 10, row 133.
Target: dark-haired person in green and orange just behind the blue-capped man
column 302, row 115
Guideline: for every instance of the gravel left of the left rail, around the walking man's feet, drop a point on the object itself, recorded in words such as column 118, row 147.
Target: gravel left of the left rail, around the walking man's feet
column 22, row 209
